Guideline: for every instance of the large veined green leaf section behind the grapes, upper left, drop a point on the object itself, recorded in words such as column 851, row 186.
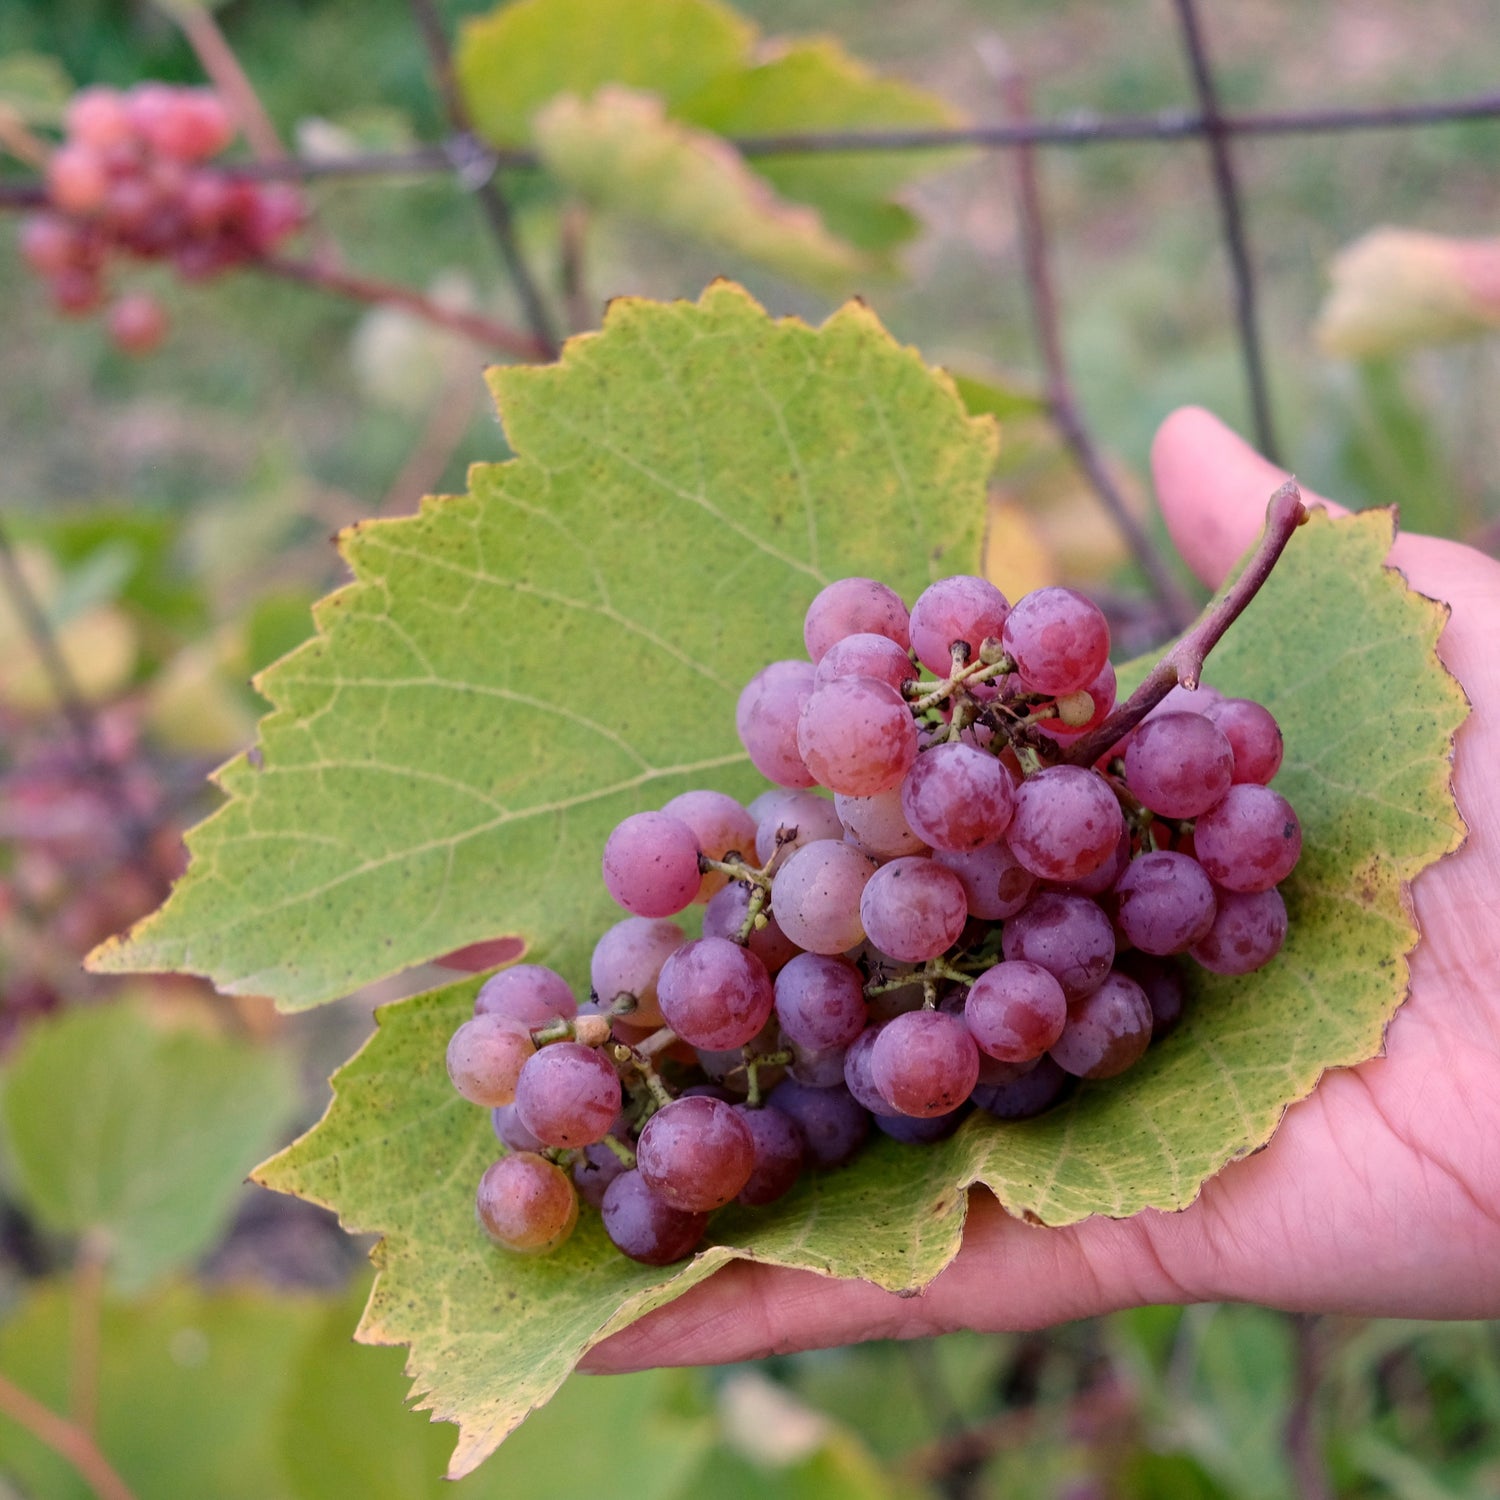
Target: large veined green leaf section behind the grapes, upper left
column 436, row 772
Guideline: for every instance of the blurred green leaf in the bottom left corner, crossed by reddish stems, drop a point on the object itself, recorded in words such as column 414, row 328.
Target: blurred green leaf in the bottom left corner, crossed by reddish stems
column 191, row 1387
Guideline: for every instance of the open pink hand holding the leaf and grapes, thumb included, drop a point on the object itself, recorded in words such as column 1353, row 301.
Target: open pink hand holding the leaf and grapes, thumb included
column 1381, row 1192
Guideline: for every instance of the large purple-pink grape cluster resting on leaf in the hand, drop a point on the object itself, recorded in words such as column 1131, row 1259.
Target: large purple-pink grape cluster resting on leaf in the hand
column 973, row 920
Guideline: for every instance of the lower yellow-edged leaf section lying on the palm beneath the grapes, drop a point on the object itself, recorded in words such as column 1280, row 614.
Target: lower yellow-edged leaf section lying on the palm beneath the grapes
column 493, row 1336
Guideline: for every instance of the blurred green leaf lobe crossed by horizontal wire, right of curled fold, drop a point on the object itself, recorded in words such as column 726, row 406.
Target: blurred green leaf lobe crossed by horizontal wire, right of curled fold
column 818, row 86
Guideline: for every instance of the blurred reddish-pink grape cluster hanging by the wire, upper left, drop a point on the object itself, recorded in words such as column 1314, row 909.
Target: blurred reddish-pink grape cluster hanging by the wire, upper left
column 133, row 178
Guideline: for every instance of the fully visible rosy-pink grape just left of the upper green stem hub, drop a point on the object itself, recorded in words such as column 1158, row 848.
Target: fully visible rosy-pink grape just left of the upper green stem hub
column 857, row 736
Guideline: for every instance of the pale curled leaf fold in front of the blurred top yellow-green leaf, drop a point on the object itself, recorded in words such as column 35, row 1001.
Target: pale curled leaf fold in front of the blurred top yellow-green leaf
column 620, row 152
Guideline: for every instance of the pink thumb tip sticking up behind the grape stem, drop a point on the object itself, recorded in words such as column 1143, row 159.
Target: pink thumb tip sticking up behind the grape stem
column 1213, row 490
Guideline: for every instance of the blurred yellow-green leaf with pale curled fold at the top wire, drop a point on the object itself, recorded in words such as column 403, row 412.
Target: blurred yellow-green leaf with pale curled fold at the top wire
column 541, row 71
